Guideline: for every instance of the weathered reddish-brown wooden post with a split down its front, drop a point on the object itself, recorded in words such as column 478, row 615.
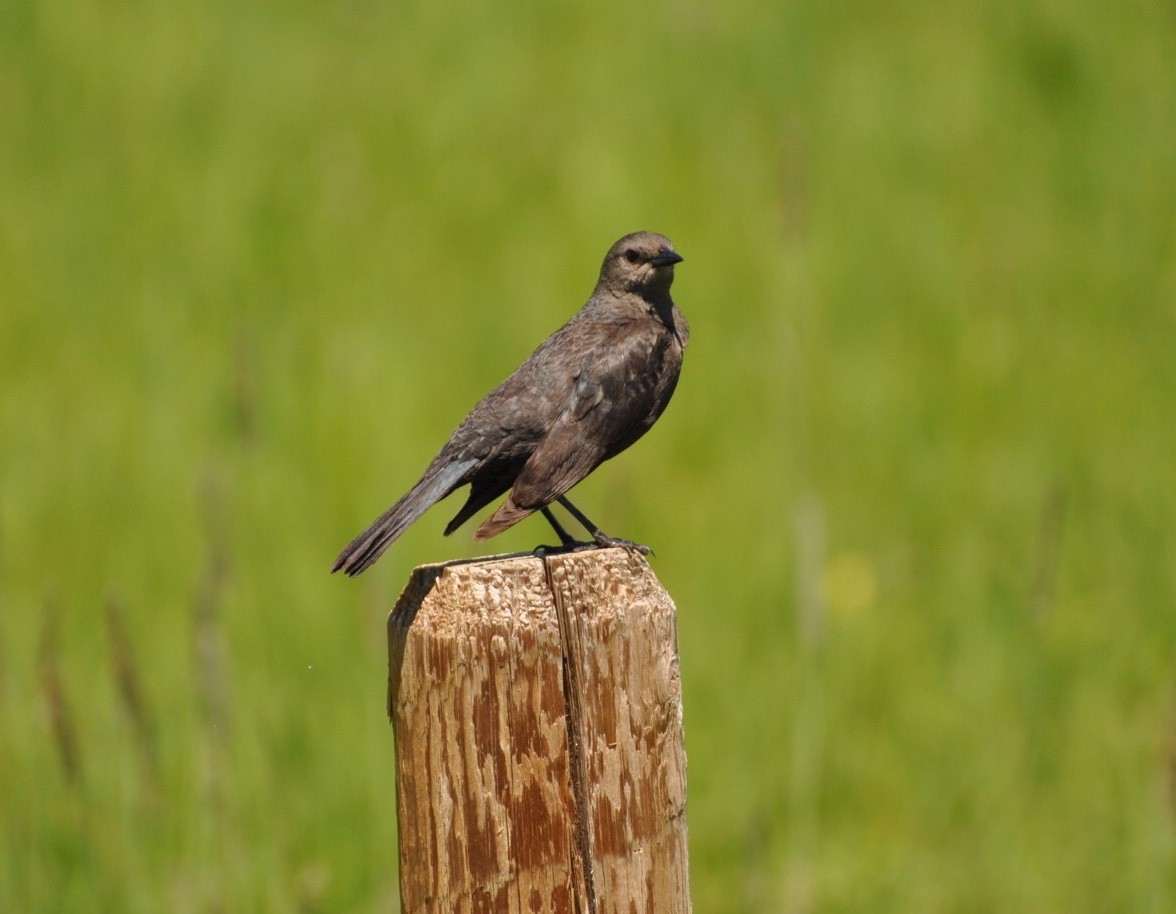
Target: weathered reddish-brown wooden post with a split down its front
column 538, row 715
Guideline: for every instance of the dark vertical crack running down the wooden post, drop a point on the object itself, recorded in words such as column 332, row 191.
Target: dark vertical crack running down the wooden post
column 578, row 764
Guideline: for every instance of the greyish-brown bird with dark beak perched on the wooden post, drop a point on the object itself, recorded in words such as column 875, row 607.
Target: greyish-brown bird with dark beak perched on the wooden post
column 583, row 397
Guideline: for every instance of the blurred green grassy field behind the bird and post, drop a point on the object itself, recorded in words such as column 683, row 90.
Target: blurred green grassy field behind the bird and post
column 916, row 497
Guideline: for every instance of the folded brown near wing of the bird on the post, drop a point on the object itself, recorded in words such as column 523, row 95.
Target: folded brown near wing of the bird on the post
column 612, row 404
